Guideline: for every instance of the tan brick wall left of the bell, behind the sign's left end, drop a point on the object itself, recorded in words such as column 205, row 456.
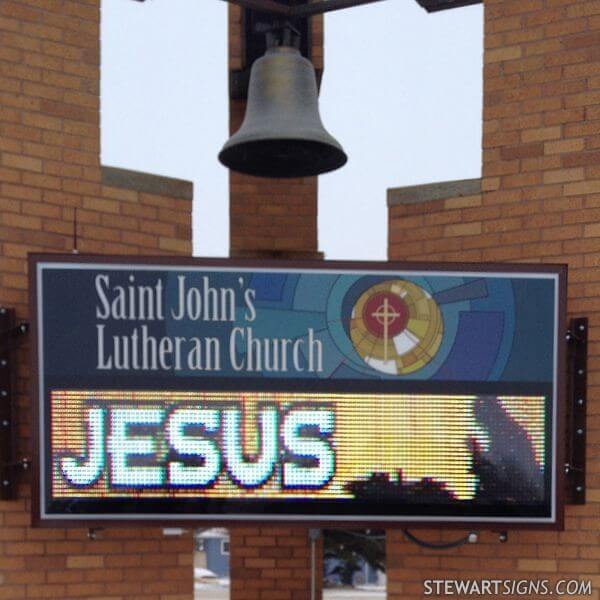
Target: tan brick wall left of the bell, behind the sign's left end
column 49, row 166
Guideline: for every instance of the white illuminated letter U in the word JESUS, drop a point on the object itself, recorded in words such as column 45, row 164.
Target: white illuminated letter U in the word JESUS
column 250, row 474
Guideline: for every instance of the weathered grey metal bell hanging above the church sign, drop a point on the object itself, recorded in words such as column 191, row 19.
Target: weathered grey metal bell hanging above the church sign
column 282, row 134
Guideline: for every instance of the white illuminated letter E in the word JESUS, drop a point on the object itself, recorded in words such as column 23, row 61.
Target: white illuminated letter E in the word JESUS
column 122, row 447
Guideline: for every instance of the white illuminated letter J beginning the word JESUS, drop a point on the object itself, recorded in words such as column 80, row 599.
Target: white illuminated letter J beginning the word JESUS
column 86, row 472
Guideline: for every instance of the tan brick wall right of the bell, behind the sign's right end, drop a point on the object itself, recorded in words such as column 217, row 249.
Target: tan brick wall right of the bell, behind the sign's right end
column 539, row 202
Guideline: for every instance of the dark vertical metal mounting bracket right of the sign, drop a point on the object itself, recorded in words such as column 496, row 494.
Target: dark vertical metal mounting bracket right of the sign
column 577, row 340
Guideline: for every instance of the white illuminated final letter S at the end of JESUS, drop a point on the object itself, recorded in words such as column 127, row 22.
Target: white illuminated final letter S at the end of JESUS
column 314, row 448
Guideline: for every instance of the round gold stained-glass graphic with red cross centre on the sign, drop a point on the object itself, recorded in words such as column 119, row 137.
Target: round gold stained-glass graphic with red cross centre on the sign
column 396, row 327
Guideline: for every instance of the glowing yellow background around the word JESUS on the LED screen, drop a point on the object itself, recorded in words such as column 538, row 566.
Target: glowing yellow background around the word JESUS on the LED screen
column 419, row 436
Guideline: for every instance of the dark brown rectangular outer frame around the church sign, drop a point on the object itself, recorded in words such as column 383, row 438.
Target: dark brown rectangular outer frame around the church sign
column 371, row 267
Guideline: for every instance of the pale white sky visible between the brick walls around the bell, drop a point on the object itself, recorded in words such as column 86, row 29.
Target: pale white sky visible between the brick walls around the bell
column 402, row 92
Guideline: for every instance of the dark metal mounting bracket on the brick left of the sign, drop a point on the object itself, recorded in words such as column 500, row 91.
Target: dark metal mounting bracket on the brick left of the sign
column 10, row 332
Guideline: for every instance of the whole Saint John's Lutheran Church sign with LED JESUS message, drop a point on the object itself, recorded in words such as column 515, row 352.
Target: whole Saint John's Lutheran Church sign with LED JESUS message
column 211, row 391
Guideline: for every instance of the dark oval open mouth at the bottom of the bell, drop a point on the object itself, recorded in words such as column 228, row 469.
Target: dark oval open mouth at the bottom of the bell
column 283, row 158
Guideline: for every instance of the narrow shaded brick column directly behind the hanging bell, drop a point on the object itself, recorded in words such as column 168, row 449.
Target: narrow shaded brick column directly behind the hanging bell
column 271, row 218
